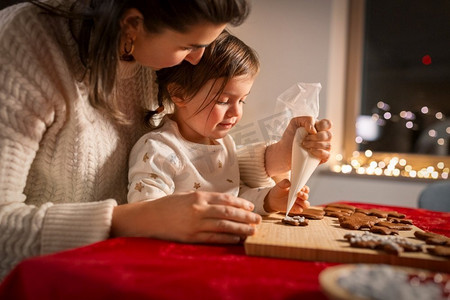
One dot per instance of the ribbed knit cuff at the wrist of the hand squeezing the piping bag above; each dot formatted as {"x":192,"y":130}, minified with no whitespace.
{"x":252,"y":165}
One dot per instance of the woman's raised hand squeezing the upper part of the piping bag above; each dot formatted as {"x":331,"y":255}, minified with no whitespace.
{"x":317,"y":142}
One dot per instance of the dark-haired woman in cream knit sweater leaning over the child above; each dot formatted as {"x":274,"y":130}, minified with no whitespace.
{"x":75,"y":81}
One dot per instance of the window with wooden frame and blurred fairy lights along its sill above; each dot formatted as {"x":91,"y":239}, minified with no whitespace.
{"x":398,"y":88}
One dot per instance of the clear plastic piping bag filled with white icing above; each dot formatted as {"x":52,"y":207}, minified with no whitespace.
{"x":302,"y":99}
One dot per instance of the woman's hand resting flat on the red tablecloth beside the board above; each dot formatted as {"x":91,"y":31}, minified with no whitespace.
{"x":194,"y":217}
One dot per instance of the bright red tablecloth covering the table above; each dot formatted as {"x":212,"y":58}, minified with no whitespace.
{"x":140,"y":268}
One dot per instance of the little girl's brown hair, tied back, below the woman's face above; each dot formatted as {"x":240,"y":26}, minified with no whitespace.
{"x":225,"y":58}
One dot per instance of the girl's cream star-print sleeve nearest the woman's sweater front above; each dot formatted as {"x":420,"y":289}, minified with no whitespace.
{"x":153,"y":166}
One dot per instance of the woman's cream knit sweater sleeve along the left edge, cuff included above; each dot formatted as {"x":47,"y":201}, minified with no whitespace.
{"x":27,"y":112}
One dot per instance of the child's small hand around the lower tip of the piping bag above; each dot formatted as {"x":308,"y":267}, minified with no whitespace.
{"x":277,"y":198}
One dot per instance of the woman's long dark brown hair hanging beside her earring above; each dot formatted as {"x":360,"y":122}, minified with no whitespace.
{"x":99,"y":36}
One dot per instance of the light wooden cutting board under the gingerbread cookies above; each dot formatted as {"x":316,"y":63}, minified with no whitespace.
{"x":323,"y":240}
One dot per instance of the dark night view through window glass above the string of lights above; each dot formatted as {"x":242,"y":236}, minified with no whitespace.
{"x":398,"y":35}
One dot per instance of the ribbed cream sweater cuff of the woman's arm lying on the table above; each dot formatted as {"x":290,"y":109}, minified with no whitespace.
{"x":72,"y":225}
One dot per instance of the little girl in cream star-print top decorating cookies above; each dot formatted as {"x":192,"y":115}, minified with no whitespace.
{"x":192,"y":150}
